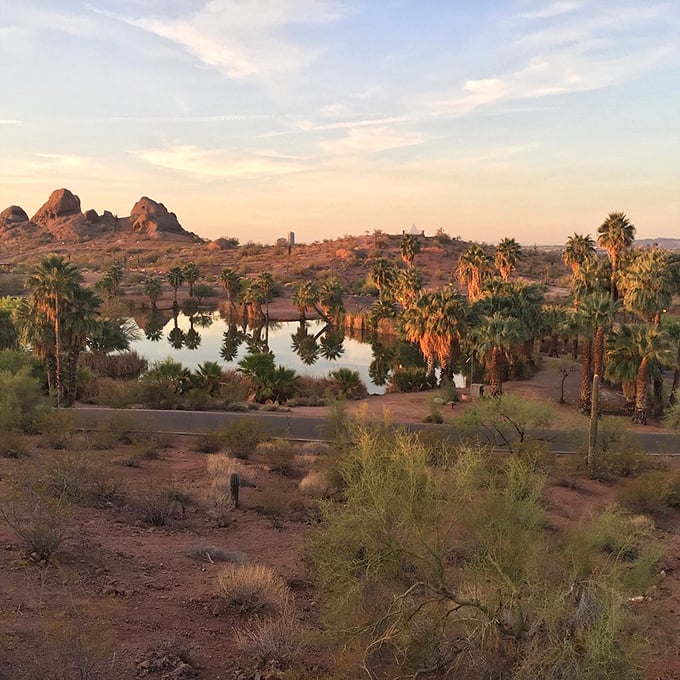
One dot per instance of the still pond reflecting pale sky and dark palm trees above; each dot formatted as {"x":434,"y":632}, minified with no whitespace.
{"x":312,"y":349}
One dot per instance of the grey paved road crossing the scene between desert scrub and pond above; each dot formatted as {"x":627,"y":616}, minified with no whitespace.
{"x":309,"y":428}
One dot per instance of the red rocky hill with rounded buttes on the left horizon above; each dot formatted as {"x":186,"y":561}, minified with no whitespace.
{"x":61,"y":219}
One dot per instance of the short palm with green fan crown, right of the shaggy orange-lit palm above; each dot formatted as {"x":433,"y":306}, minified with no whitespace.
{"x":495,"y":338}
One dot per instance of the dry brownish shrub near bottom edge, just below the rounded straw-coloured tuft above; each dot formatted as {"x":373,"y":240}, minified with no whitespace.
{"x":271,"y":640}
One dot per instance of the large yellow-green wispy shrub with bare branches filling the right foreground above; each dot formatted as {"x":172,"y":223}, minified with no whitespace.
{"x":453,"y":568}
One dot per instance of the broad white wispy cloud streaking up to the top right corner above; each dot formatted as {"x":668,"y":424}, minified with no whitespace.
{"x":574,"y":47}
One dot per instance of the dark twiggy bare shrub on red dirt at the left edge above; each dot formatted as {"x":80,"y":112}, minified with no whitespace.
{"x":40,"y":521}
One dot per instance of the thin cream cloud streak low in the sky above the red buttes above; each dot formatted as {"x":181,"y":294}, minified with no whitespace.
{"x":202,"y":163}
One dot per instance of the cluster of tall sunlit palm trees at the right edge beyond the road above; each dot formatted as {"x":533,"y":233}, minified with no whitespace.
{"x":618,"y":306}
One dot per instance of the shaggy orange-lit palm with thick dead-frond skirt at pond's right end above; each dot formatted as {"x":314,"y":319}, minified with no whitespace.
{"x":437,"y":322}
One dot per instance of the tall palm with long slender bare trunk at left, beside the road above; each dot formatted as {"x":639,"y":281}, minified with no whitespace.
{"x":54,"y":283}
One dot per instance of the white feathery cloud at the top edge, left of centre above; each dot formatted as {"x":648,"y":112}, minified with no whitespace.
{"x":246,"y":38}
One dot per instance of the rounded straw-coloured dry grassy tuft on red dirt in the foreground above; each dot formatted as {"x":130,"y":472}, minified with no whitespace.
{"x":253,"y":589}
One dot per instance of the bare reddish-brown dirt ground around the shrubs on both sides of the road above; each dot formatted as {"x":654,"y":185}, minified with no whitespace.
{"x":126,"y":598}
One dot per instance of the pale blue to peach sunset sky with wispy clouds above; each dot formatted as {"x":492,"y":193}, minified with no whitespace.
{"x":253,"y":118}
